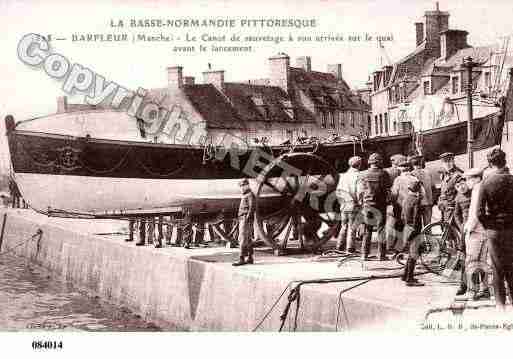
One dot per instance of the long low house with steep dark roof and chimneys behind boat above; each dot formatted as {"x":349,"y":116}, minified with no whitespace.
{"x":293,"y":102}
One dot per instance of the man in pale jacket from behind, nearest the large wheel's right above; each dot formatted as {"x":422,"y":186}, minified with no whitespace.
{"x":349,"y":206}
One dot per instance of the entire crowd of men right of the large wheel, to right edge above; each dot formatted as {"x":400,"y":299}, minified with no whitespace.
{"x":397,"y":203}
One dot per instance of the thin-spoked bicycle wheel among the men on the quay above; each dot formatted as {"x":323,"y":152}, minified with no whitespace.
{"x":438,"y":245}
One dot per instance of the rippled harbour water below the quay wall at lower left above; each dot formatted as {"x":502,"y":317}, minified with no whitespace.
{"x":31,"y":298}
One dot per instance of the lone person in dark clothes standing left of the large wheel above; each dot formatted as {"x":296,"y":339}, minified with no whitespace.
{"x":246,"y":217}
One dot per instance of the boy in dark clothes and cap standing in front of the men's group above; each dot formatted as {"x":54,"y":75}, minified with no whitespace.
{"x":410,"y":215}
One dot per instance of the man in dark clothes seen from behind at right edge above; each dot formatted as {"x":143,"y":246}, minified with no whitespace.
{"x":495,"y":212}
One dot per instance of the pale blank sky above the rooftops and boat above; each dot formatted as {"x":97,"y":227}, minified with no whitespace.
{"x":28,"y":92}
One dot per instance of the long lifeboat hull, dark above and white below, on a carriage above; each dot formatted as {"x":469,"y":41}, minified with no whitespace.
{"x":81,"y":175}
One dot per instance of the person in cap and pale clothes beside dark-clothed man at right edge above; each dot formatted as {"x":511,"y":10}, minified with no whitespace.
{"x":475,"y":239}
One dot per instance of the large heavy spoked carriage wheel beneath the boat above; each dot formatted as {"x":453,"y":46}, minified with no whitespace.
{"x":296,"y":200}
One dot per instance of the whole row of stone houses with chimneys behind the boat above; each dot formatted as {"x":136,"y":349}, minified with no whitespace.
{"x":296,"y":101}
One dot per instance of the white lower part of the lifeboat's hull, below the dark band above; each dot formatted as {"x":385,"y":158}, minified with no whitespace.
{"x":119,"y":197}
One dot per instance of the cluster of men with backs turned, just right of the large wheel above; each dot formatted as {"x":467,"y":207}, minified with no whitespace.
{"x":394,"y":202}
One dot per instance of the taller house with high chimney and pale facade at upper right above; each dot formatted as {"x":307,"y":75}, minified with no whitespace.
{"x":427,"y":88}
